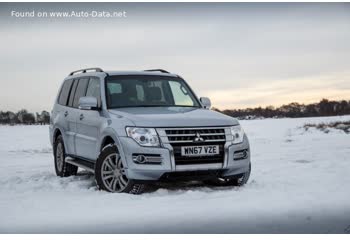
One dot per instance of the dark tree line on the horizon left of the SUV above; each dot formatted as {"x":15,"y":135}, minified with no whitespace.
{"x":24,"y":117}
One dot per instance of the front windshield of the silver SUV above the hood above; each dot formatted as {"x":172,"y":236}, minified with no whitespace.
{"x":148,"y":91}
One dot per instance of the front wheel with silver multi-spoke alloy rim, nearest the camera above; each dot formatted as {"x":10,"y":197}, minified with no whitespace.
{"x":110,"y":174}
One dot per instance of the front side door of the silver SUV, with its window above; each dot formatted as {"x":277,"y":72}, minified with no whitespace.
{"x":89,"y":123}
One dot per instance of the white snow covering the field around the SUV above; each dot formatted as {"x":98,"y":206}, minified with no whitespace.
{"x":299,"y":184}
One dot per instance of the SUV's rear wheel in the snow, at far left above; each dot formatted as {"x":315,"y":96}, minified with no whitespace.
{"x":62,"y":168}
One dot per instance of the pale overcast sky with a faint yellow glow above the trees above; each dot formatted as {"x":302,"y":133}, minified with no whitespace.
{"x":239,"y":55}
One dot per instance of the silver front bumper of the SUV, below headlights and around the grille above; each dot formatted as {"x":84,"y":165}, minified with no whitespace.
{"x":155,"y":172}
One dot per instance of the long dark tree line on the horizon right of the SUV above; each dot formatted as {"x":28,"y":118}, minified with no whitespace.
{"x":292,"y":110}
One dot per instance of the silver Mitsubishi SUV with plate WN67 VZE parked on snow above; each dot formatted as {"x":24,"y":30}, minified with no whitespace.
{"x":134,"y":128}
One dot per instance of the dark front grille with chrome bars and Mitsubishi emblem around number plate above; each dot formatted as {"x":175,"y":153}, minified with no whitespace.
{"x":187,"y":136}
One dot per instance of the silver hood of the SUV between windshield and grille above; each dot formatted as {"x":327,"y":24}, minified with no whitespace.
{"x":173,"y":117}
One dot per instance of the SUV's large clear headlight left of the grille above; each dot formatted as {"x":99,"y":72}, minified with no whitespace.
{"x":144,"y":136}
